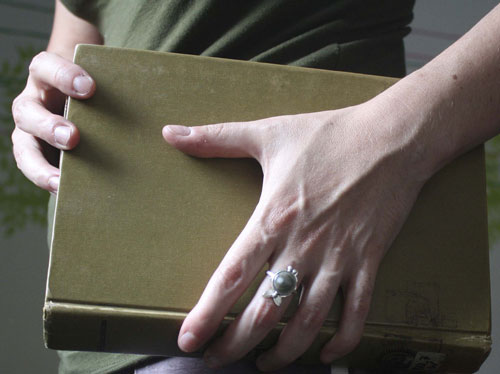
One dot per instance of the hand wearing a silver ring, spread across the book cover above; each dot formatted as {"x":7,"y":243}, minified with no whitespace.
{"x":337,"y":188}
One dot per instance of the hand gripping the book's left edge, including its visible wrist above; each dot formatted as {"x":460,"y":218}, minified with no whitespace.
{"x":37,"y":110}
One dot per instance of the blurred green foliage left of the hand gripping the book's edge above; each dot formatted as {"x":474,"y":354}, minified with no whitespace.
{"x":21,"y":202}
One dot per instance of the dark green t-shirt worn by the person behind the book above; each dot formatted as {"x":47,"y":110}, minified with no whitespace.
{"x":364,"y":36}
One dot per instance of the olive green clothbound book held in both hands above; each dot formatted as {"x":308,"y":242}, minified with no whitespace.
{"x":140,"y":227}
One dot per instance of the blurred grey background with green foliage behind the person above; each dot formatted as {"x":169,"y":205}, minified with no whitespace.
{"x":24,"y":30}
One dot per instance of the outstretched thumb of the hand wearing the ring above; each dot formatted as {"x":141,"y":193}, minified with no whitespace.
{"x":235,"y":139}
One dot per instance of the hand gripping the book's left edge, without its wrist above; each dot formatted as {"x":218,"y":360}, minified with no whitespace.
{"x":37,"y":115}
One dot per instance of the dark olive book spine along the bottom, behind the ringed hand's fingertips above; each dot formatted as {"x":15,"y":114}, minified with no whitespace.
{"x":69,"y":326}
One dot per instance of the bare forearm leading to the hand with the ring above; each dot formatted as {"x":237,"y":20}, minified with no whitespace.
{"x":451,"y":104}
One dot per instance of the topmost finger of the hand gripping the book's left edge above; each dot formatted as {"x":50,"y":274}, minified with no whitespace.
{"x":48,"y":70}
